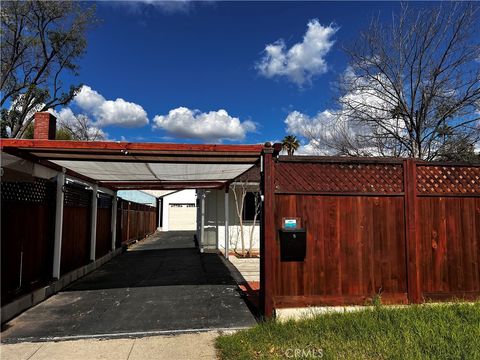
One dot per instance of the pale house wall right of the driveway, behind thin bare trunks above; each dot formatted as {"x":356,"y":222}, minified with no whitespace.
{"x":215,"y":223}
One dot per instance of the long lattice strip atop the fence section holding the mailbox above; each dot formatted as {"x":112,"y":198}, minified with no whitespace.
{"x":339,"y":177}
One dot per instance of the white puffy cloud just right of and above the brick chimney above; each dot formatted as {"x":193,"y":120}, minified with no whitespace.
{"x":110,"y":112}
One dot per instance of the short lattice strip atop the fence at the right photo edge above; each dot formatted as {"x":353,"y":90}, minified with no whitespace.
{"x":448,"y":179}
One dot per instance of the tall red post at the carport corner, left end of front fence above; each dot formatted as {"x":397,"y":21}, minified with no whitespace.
{"x":267,"y":239}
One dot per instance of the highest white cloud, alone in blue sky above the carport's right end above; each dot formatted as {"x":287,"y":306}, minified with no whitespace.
{"x":303,"y":60}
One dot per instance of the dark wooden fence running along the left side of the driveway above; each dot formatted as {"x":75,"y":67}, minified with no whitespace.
{"x":28,"y":224}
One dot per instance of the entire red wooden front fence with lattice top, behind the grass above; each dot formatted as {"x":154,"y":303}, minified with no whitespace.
{"x":404,"y":230}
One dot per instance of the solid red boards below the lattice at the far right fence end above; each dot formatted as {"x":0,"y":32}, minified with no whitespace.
{"x":450,"y":244}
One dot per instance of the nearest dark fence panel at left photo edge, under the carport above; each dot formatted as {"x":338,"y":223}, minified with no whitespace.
{"x":27,"y":231}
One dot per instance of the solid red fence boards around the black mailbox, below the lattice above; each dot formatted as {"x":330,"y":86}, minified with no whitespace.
{"x":355,"y":250}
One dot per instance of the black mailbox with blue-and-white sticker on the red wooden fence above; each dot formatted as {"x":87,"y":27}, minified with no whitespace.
{"x":293,"y":240}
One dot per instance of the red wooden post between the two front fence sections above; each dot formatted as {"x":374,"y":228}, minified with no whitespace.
{"x":411,"y":235}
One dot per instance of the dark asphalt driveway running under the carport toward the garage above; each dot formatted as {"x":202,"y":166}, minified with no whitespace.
{"x":161,"y":285}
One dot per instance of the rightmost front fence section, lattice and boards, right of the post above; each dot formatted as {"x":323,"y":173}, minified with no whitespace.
{"x":448,"y":203}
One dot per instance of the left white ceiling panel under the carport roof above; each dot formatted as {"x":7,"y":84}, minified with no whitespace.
{"x":109,"y":171}
